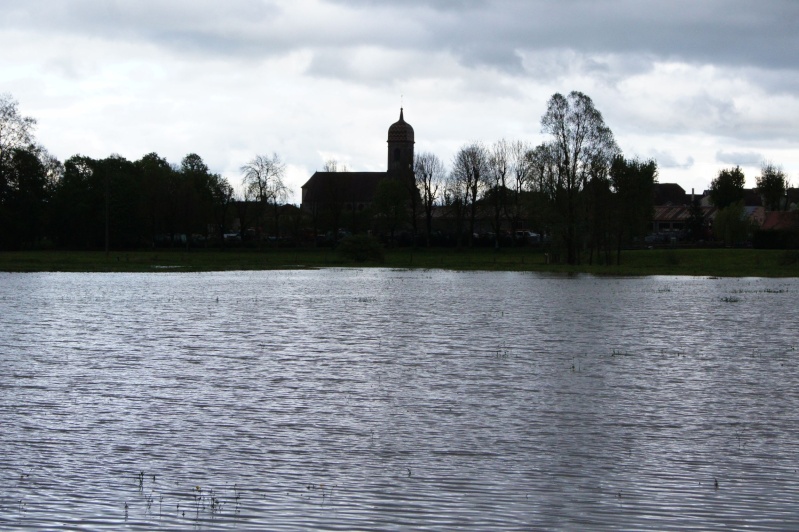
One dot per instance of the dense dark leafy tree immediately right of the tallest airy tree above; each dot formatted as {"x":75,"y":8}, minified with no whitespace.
{"x":633,"y":181}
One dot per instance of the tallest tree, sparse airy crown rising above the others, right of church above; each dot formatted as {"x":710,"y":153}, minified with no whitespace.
{"x":582,"y":145}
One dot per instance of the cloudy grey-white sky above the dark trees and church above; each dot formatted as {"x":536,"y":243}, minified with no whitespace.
{"x":697,"y":85}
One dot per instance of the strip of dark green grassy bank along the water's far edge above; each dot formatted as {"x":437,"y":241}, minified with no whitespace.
{"x":706,"y":262}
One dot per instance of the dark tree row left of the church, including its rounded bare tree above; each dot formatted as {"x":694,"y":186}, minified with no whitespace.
{"x":87,"y":203}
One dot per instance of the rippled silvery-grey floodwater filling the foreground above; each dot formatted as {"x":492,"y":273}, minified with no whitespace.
{"x":383,"y":399}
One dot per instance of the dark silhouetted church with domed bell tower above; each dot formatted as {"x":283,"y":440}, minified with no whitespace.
{"x":335,"y":194}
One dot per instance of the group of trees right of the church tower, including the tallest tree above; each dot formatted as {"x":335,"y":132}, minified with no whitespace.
{"x":577,"y":188}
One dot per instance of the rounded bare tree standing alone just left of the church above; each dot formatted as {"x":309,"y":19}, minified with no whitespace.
{"x":263,"y":183}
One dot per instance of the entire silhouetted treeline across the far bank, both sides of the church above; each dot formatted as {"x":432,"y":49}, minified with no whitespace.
{"x":575,"y":195}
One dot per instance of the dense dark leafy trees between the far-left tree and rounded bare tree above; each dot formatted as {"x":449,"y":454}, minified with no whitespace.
{"x":125,"y":204}
